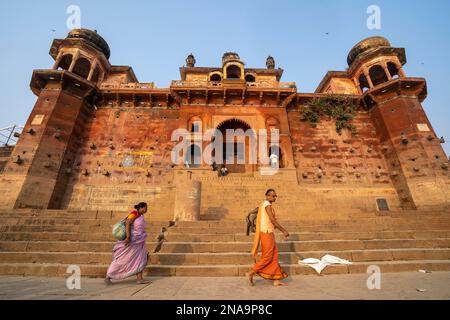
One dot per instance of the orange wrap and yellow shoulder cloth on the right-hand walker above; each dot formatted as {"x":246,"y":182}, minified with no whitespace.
{"x":268,"y":266}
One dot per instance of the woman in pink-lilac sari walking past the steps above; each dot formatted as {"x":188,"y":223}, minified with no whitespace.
{"x":130,"y":256}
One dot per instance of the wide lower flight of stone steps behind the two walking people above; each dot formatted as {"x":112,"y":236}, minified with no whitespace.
{"x":46,"y":242}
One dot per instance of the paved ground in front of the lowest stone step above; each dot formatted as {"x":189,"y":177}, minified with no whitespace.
{"x":353,"y":286}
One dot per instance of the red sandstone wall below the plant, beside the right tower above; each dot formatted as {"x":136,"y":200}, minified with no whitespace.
{"x":344,"y":159}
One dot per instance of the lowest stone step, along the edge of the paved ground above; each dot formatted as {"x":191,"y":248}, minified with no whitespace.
{"x":30,"y":269}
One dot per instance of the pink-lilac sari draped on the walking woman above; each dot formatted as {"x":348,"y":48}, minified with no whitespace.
{"x":132,"y":259}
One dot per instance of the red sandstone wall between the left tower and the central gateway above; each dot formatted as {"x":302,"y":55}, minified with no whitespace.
{"x":126,"y":153}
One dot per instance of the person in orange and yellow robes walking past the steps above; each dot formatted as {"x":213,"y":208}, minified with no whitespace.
{"x":267,"y":267}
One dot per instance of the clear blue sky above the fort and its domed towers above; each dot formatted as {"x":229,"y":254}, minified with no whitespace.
{"x":154,"y":37}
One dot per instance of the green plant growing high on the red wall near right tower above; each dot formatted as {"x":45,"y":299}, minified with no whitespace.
{"x":340,"y":108}
